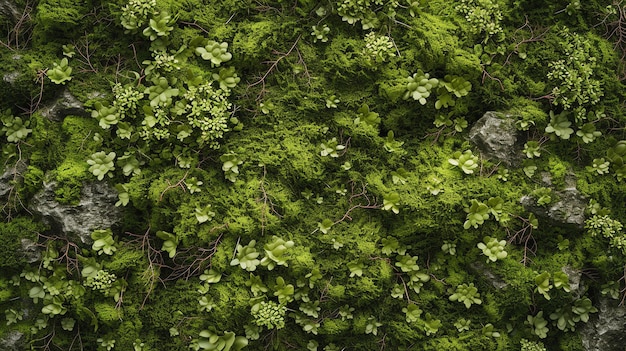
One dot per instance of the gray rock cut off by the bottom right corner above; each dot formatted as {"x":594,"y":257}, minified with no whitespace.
{"x":606,"y":330}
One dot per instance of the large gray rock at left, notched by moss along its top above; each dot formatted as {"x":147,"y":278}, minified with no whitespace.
{"x":95,"y":210}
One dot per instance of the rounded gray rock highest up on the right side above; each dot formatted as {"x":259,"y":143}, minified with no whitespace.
{"x":495,"y":135}
